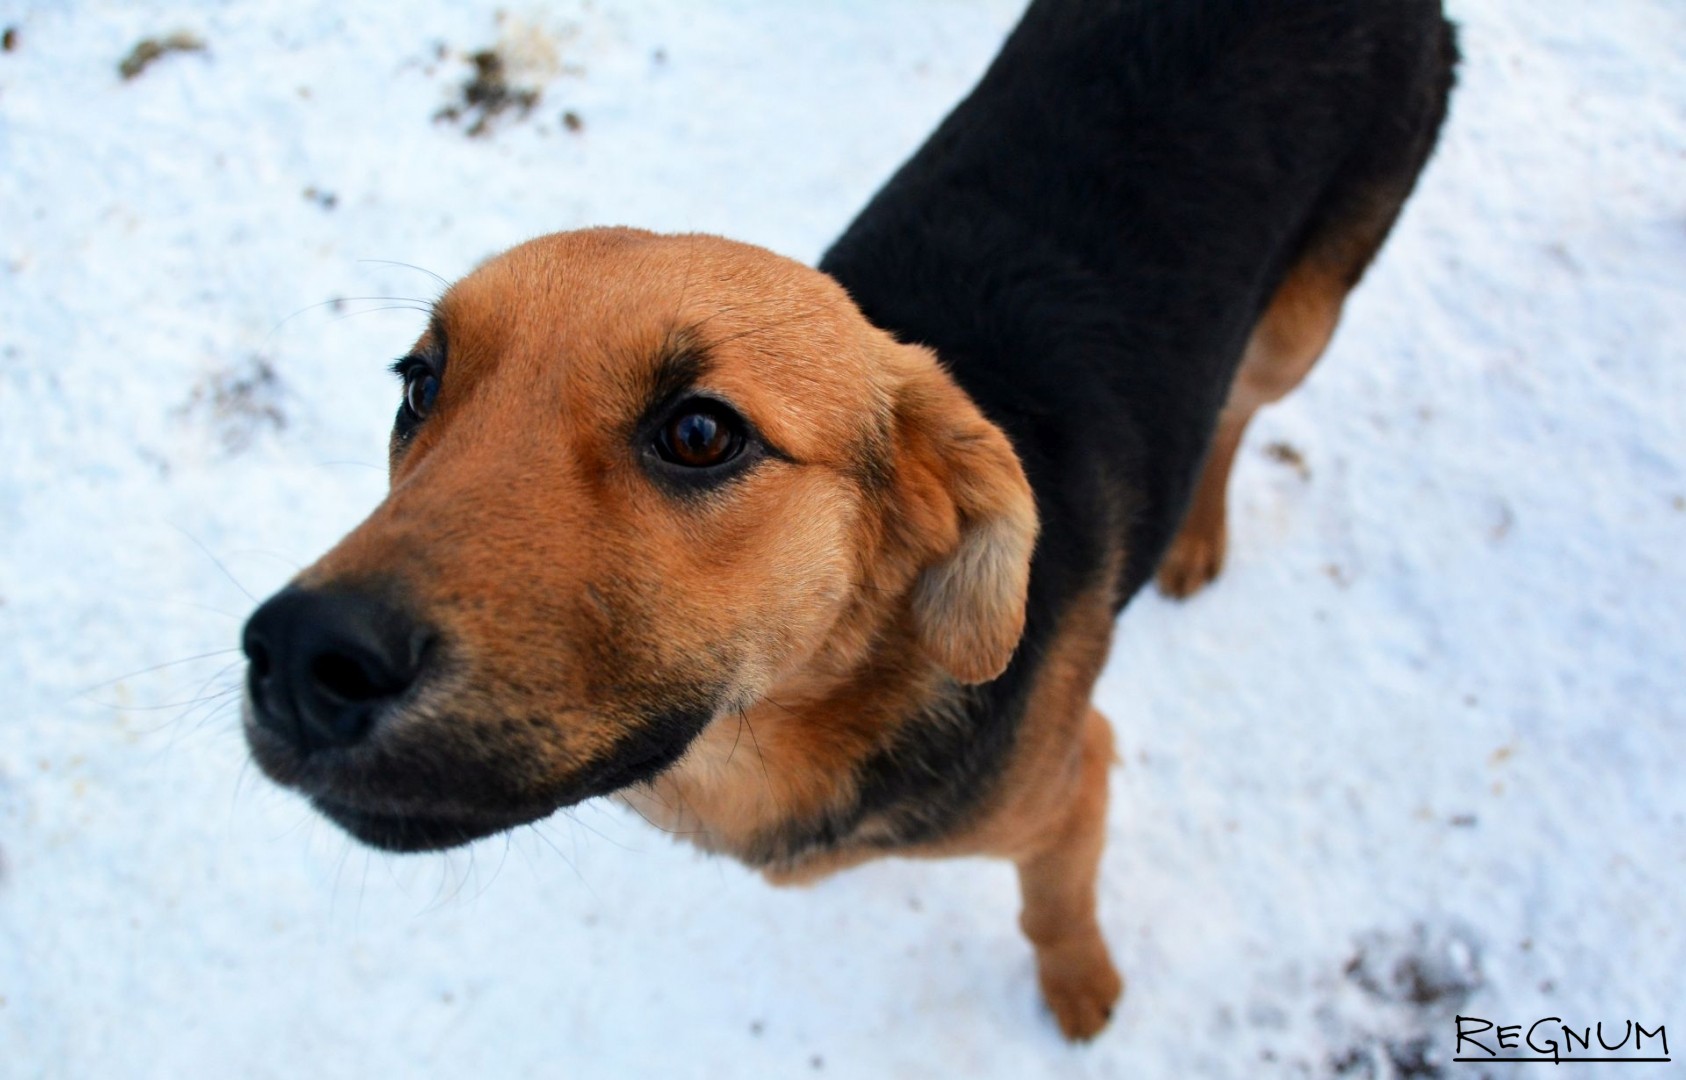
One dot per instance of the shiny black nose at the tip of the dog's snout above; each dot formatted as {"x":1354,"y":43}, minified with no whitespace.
{"x":323,"y":663}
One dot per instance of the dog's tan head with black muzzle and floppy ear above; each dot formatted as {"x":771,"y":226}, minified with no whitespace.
{"x":638,"y":483}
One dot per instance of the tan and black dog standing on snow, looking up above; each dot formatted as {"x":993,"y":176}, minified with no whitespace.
{"x":815,"y":567}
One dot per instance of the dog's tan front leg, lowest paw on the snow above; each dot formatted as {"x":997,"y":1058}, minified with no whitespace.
{"x":1058,"y":880}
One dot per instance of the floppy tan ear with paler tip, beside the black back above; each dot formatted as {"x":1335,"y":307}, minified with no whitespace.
{"x":967,"y":513}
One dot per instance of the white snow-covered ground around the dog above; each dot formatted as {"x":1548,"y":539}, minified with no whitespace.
{"x":1417,"y":754}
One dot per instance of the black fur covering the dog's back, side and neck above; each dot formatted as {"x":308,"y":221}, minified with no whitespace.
{"x":1087,"y":242}
